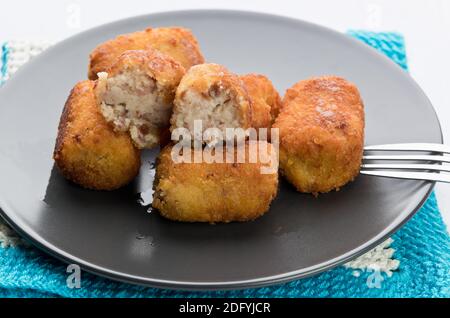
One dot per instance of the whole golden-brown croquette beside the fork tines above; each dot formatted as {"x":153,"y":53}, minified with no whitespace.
{"x":321,"y":128}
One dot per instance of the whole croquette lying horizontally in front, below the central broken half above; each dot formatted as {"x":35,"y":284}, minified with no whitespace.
{"x":214,"y":192}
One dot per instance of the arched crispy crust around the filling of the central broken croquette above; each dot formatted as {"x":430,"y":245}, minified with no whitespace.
{"x":206,"y":79}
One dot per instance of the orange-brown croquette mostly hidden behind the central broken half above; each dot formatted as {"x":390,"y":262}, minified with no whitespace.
{"x":265,"y":100}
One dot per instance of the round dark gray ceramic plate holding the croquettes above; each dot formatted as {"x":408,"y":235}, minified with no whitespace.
{"x":112,"y":235}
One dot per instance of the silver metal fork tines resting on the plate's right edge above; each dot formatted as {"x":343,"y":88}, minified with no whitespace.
{"x":427,"y":165}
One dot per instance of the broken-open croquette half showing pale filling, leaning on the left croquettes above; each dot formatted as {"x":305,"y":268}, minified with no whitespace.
{"x":137,"y":94}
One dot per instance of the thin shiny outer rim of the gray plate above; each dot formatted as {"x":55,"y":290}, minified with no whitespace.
{"x":7,"y":213}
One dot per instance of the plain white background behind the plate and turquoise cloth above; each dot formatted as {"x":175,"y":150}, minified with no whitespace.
{"x":424,"y":23}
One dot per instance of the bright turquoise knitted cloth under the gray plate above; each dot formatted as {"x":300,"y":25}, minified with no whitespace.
{"x":422,"y":246}
